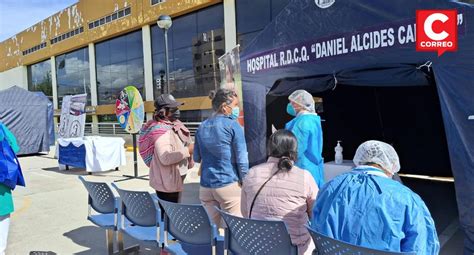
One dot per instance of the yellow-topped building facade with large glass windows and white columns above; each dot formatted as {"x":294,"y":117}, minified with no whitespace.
{"x":99,"y":48}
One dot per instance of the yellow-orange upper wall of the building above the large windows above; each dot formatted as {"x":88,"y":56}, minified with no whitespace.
{"x":80,"y":15}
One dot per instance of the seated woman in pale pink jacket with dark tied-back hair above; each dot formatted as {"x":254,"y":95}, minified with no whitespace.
{"x":278,"y":190}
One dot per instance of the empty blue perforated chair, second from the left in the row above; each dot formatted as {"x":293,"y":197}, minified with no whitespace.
{"x":140,"y":217}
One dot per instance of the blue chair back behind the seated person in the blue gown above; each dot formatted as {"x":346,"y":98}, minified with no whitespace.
{"x":328,"y":246}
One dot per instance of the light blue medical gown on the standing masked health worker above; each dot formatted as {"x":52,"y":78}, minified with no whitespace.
{"x":307,"y":129}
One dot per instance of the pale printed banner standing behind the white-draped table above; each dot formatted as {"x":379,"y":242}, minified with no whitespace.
{"x":73,"y":116}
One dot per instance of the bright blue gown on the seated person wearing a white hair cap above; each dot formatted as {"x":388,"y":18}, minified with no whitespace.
{"x":375,"y":212}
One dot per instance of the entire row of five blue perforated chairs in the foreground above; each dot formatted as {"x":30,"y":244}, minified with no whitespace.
{"x":187,"y":229}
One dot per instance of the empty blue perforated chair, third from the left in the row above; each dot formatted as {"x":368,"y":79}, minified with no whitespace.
{"x":191,"y":226}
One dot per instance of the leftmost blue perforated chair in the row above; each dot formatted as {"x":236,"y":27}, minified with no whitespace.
{"x":103,"y":202}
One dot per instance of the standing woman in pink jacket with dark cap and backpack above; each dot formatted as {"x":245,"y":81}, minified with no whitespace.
{"x":165,"y":146}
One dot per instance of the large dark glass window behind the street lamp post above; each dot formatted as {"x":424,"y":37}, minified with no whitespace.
{"x":195,"y":41}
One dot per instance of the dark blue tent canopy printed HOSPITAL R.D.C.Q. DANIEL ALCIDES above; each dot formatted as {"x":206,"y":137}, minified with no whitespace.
{"x":365,"y":43}
